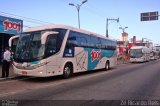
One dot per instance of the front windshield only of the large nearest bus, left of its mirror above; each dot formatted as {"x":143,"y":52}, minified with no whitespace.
{"x":29,"y":47}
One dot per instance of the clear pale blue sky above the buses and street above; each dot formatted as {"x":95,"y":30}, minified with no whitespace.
{"x":93,"y":15}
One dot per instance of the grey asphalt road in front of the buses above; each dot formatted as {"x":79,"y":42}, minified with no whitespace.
{"x":124,"y":84}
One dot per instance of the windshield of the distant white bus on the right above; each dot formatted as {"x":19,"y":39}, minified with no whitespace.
{"x":136,"y":53}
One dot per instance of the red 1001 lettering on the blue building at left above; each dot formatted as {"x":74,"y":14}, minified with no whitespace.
{"x":11,"y":25}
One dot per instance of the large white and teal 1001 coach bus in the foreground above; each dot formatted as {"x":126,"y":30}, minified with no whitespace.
{"x":61,"y":50}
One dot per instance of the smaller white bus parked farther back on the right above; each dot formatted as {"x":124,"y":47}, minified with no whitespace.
{"x":139,"y":54}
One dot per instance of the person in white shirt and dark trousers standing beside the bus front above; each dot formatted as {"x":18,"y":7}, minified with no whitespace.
{"x":6,"y":62}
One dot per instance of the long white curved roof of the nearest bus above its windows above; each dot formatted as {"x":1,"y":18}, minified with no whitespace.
{"x":52,"y":26}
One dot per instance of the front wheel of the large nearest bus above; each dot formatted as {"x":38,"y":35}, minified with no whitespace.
{"x":67,"y":72}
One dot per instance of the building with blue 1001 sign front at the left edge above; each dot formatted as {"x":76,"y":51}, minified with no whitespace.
{"x":8,"y":27}
